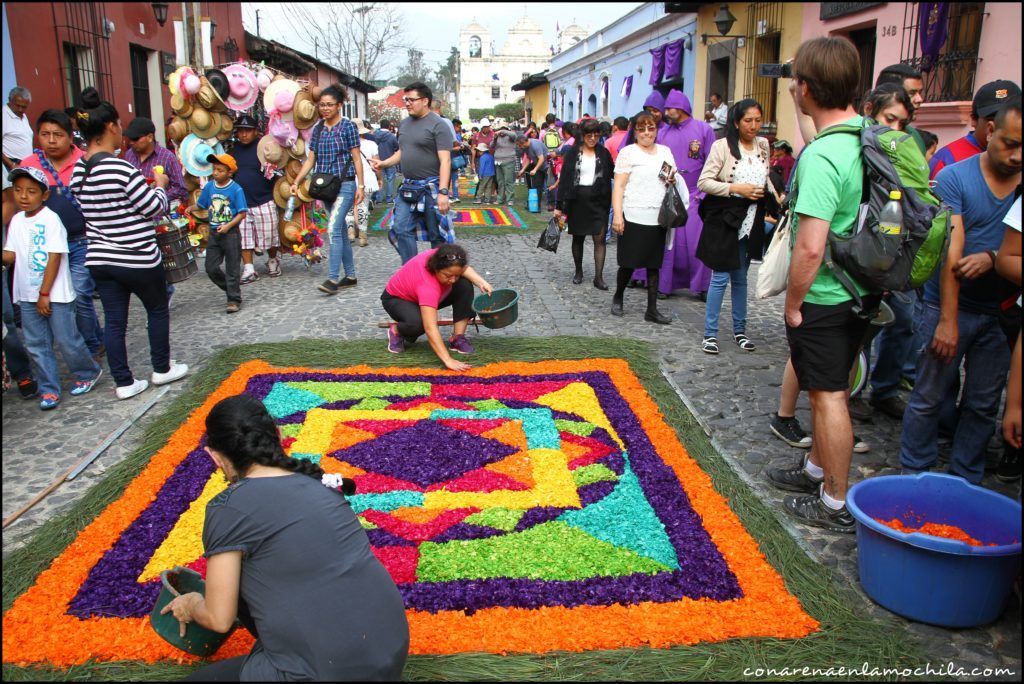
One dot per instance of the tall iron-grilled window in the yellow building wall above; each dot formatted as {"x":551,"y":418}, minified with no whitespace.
{"x":764,"y":37}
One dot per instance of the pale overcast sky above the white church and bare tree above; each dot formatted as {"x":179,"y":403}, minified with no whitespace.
{"x":435,"y":26}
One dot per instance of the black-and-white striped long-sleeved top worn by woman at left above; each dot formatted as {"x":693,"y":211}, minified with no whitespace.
{"x":119,"y":208}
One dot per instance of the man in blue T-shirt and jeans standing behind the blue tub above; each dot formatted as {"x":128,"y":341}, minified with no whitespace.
{"x":962,"y":308}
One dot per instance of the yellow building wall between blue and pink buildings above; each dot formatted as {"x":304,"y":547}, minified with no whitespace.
{"x":792,"y":30}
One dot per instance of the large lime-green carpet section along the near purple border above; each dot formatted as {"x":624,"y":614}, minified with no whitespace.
{"x":548,"y":551}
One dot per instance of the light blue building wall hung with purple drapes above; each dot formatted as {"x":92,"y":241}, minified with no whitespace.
{"x":632,"y":39}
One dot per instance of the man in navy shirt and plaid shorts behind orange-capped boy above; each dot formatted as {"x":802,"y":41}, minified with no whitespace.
{"x":260,"y":230}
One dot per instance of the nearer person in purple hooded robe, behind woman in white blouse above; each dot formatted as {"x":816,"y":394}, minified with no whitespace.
{"x":691,"y":143}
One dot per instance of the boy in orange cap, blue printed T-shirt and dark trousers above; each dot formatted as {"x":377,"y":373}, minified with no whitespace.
{"x":227,"y":202}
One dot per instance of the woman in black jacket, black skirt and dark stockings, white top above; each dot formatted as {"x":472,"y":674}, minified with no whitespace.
{"x":585,"y":196}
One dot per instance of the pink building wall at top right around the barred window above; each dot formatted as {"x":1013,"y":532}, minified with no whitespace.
{"x":1000,"y":55}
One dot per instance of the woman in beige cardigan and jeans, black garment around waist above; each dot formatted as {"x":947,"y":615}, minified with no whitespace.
{"x":736,"y":179}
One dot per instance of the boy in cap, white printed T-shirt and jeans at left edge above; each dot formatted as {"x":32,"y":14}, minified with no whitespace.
{"x":35,"y":245}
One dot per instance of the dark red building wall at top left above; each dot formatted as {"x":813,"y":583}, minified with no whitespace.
{"x":38,"y":30}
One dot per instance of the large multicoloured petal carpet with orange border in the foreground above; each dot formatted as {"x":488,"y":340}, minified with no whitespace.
{"x":521,"y":507}
